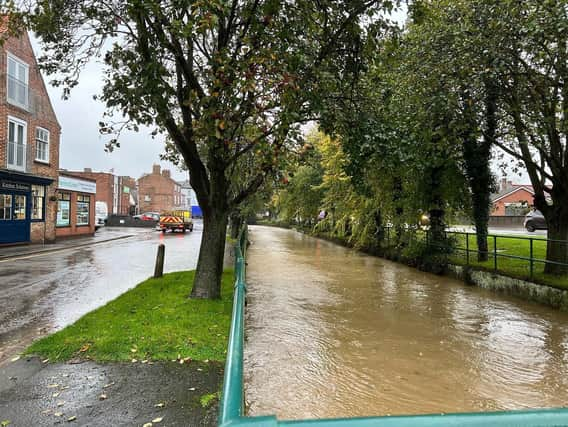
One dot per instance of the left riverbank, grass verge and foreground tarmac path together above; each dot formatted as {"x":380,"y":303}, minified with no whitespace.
{"x":151,"y":354}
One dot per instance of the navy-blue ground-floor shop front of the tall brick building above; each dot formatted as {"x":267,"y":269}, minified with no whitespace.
{"x":22,"y":205}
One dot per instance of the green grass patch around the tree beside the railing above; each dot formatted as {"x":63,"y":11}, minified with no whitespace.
{"x":154,"y":321}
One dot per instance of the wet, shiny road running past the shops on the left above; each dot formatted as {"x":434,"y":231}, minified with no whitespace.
{"x":44,"y":292}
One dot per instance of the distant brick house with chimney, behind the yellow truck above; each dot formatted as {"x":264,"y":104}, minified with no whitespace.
{"x":157,"y":191}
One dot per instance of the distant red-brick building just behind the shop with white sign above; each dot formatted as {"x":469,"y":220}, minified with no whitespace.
{"x":117,"y":192}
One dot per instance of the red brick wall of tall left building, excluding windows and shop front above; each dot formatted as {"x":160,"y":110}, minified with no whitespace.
{"x":39,"y":114}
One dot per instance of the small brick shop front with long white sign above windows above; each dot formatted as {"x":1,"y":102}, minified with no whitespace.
{"x":75,"y":206}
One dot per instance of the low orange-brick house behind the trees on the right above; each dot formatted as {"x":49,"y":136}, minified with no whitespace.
{"x":512,"y":199}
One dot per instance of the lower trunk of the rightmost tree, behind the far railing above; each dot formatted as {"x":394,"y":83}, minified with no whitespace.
{"x":557,"y":251}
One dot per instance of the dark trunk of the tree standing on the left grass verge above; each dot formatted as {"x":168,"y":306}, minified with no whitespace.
{"x":207,"y":282}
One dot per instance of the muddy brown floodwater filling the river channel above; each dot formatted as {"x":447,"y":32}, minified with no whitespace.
{"x":331,"y":332}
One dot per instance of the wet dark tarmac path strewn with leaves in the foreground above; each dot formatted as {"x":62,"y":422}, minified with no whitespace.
{"x":33,"y":393}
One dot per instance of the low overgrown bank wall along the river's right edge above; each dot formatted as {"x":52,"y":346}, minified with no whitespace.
{"x":553,"y":293}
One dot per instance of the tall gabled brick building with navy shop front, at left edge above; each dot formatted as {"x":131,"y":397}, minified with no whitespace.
{"x":29,"y":147}
